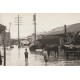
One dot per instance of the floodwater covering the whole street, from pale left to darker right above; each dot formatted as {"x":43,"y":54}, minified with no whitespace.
{"x":15,"y":57}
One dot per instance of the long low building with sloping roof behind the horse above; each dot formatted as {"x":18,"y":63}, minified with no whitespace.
{"x":57,"y":35}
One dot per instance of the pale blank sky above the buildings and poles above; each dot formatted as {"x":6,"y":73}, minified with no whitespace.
{"x":44,"y":21}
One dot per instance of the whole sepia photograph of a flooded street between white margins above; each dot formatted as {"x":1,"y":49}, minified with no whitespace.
{"x":39,"y":39}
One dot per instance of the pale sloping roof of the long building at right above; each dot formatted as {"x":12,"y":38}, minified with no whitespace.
{"x":60,"y":30}
